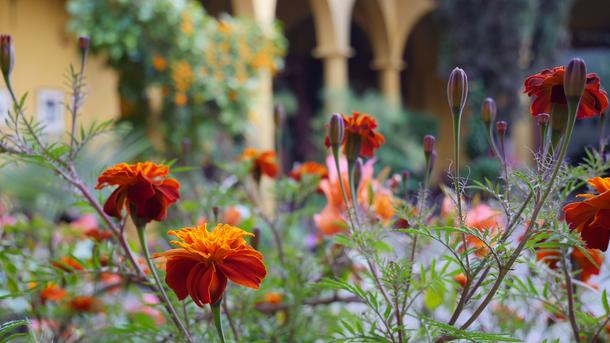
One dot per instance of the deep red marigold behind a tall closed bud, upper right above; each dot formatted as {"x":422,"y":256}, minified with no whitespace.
{"x":547,"y":87}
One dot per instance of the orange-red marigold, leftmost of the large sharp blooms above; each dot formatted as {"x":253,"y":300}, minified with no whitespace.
{"x":142,"y":187}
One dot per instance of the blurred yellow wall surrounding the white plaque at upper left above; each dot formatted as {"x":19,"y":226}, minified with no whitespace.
{"x":44,"y":50}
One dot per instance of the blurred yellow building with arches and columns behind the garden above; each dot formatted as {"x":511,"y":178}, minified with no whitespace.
{"x":400,"y":49}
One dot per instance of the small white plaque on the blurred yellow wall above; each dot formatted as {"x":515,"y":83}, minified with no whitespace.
{"x":51,"y":111}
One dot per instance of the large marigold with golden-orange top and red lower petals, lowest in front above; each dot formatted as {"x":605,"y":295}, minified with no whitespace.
{"x":205,"y":261}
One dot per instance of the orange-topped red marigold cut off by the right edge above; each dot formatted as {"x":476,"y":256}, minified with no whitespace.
{"x":591,"y":217}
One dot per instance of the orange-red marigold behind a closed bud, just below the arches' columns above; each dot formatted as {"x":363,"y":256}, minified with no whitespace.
{"x":361,"y":127}
